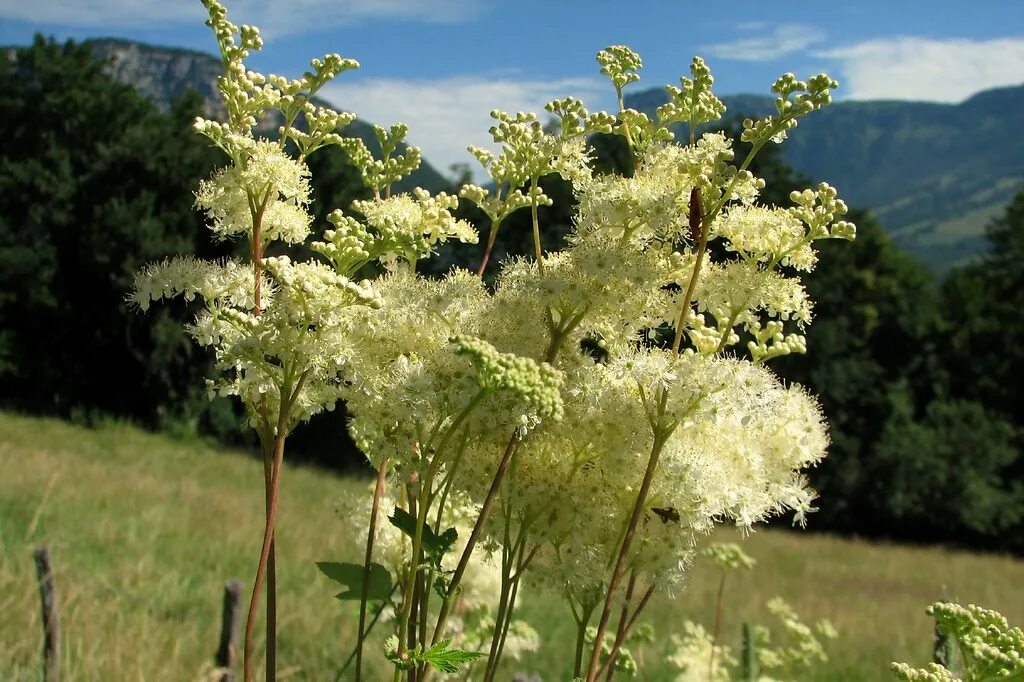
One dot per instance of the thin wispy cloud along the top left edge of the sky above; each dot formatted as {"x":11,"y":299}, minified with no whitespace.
{"x":276,"y":18}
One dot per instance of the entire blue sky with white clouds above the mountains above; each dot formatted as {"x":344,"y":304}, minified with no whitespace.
{"x":443,"y":65}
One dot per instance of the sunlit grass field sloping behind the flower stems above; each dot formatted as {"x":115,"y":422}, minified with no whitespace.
{"x":145,"y":530}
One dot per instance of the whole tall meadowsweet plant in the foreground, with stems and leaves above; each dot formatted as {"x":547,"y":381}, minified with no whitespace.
{"x":580,"y":424}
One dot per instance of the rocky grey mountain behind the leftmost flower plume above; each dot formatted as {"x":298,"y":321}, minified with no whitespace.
{"x":165,"y":73}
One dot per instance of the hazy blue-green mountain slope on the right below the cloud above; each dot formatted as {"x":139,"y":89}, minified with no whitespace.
{"x":934,"y":175}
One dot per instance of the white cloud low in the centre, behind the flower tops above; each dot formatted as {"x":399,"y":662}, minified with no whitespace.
{"x":447,"y":115}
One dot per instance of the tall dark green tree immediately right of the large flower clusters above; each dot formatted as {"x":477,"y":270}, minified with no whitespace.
{"x":871,"y":346}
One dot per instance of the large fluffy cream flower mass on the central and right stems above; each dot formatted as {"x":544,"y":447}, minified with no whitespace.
{"x":524,"y":375}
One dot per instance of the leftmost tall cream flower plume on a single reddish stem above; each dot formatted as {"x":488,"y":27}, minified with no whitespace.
{"x":276,"y":326}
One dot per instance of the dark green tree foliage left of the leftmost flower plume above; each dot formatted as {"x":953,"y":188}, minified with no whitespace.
{"x":95,"y":182}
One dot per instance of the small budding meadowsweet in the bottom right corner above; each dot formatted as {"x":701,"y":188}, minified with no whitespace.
{"x":989,"y":649}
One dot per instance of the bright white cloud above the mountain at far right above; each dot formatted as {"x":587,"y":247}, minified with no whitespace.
{"x":926,"y":69}
